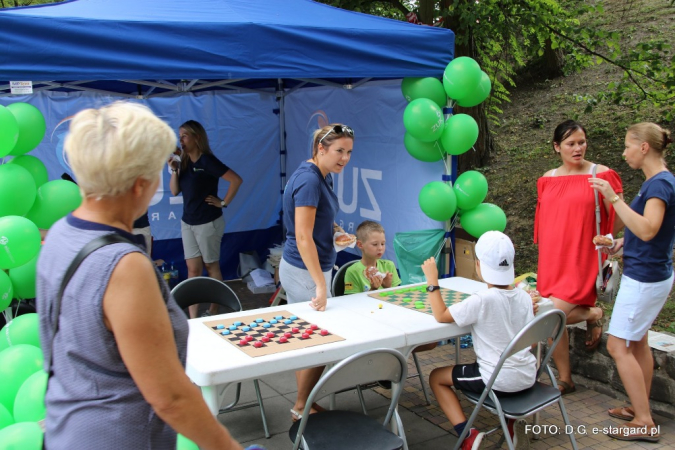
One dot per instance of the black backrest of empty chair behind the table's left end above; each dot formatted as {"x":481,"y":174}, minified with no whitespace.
{"x":205,"y":290}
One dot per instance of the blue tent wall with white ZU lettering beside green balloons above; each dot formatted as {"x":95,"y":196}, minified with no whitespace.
{"x":382,"y":181}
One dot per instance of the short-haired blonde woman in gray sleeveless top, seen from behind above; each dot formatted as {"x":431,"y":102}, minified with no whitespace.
{"x":118,"y":357}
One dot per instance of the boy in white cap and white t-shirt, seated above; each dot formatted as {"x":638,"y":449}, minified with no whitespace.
{"x":495,"y":315}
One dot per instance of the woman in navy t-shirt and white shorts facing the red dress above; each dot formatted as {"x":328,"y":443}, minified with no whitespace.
{"x":647,"y":273}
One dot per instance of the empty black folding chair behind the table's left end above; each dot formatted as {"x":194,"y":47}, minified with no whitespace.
{"x":209,"y":290}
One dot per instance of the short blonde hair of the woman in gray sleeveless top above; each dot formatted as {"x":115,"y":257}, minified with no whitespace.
{"x":110,"y":147}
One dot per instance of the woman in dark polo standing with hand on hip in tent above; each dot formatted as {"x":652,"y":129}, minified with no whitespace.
{"x":202,"y":225}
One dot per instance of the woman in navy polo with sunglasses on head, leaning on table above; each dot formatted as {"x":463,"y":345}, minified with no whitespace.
{"x":310,"y":208}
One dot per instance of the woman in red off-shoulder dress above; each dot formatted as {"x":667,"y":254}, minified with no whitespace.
{"x":564,"y":227}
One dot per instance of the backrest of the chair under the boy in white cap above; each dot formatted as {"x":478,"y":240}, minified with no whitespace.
{"x":548,"y":325}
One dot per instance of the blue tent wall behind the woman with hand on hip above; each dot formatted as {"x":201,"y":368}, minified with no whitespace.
{"x":243,"y":131}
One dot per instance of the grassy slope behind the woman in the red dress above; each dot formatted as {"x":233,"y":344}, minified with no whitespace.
{"x":537,"y":106}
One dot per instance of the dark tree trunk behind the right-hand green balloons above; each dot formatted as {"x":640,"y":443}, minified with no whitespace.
{"x":479,"y":156}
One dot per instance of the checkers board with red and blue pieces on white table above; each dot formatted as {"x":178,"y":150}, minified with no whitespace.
{"x":268,"y":333}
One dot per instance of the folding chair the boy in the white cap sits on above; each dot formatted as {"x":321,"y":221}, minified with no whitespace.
{"x":549,"y":325}
